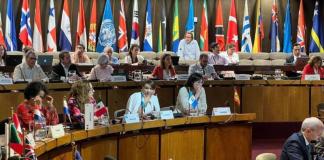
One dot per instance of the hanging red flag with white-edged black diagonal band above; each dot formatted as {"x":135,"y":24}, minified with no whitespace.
{"x":219,"y":27}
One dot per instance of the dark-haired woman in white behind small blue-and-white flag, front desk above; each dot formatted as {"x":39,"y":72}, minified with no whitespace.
{"x":192,"y":96}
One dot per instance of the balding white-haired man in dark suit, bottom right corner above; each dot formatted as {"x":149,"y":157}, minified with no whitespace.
{"x":298,"y":146}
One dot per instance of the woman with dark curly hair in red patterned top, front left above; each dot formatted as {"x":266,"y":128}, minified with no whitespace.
{"x":37,"y":98}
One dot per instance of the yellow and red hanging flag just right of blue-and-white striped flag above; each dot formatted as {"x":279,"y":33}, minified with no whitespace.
{"x":259,"y":32}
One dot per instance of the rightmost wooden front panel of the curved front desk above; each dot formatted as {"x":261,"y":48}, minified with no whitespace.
{"x":225,"y":142}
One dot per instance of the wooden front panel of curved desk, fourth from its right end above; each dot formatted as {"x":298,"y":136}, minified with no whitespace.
{"x":99,"y":148}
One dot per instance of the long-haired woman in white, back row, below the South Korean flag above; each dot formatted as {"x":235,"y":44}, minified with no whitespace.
{"x":133,"y":57}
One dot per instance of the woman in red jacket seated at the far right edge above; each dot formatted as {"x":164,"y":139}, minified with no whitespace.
{"x":314,"y":66}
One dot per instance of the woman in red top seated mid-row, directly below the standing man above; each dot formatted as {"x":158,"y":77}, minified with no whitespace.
{"x":165,"y":70}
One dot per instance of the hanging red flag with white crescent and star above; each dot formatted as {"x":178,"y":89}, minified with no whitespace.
{"x":232,"y":36}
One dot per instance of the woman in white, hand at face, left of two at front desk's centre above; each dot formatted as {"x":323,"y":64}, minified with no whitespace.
{"x":145,"y":102}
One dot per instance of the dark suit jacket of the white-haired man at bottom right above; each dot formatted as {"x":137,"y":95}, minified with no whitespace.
{"x":294,"y":148}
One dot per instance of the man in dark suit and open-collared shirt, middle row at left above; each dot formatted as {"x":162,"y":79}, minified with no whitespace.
{"x":63,"y":68}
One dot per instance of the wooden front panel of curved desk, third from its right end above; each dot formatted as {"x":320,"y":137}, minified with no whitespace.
{"x":139,"y":147}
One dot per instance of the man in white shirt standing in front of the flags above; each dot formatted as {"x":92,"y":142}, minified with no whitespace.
{"x":188,"y":48}
